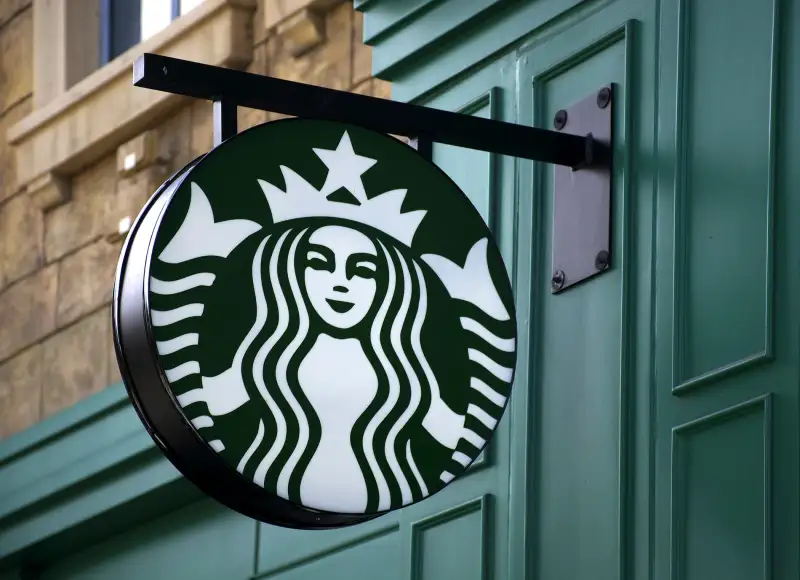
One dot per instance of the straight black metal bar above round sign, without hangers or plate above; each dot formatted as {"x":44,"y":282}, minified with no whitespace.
{"x":237,"y":88}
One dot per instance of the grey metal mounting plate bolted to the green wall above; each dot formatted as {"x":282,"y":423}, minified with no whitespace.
{"x":582,"y":197}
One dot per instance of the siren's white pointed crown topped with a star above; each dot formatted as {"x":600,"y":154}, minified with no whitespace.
{"x":302,"y":200}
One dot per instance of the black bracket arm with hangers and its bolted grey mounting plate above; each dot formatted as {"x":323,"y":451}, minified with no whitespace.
{"x":581,"y":147}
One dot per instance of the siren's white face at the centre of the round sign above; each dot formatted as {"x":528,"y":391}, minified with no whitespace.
{"x":341,"y":266}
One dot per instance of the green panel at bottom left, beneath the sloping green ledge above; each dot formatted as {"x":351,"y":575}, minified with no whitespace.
{"x":199,"y":542}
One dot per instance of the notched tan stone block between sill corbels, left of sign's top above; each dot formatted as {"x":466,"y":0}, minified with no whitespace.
{"x":85,"y":218}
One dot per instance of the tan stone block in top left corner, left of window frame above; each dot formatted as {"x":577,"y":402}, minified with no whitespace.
{"x":16,"y":59}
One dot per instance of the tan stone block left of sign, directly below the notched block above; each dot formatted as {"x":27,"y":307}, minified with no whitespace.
{"x":86,"y":280}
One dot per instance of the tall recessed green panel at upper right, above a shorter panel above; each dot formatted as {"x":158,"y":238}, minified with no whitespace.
{"x":724,"y":188}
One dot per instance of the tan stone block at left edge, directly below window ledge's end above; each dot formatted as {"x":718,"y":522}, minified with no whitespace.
{"x":21,"y":243}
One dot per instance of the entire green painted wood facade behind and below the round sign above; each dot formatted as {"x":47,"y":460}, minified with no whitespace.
{"x":653,"y":431}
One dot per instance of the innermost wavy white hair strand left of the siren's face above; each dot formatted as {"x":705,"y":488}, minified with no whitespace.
{"x":282,"y":380}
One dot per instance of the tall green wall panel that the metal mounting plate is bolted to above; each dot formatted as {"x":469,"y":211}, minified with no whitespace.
{"x":580,"y":370}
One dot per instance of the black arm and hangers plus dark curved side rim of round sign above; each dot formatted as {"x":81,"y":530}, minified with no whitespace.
{"x":228,"y":89}
